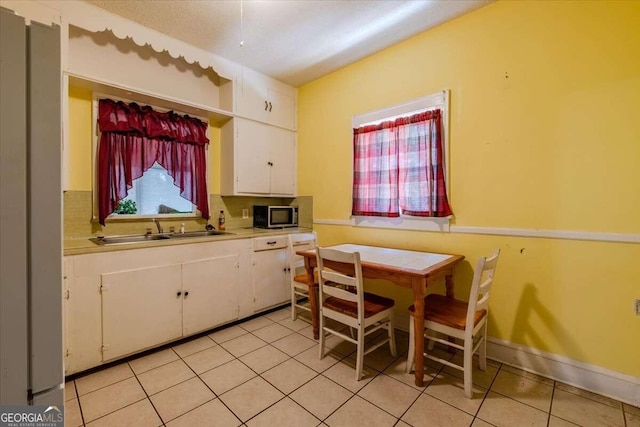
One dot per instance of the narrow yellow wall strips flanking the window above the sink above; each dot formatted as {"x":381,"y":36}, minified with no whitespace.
{"x":81,"y":143}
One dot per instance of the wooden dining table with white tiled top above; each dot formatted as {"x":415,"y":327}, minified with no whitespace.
{"x":408,"y":269}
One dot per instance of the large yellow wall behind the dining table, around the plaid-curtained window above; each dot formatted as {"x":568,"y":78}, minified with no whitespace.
{"x":544,"y":134}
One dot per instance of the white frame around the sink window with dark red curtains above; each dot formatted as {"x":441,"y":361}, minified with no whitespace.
{"x":94,"y":155}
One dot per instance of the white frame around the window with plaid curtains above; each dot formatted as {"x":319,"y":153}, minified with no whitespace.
{"x":439,"y":100}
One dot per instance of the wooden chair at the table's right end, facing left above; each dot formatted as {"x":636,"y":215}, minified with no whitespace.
{"x":461,"y":320}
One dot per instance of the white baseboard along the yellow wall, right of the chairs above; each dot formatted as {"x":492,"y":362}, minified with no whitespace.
{"x":615,"y":385}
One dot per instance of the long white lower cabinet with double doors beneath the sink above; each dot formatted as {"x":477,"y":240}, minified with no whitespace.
{"x":120,"y":303}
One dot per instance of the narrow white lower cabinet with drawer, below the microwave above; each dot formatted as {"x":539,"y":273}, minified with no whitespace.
{"x":270,"y":262}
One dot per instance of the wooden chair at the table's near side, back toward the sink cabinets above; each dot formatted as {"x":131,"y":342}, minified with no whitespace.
{"x":342,"y":298}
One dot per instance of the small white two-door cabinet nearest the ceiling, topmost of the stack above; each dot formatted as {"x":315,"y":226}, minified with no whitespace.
{"x":267,"y":100}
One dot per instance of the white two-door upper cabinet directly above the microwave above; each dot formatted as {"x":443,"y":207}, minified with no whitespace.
{"x":257,"y":159}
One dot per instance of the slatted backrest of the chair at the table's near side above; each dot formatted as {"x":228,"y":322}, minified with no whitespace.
{"x":340,"y":276}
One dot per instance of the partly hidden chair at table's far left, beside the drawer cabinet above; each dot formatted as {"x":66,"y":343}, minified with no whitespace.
{"x":298,"y":274}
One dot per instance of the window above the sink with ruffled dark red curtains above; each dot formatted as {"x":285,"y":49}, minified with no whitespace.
{"x":149,"y":162}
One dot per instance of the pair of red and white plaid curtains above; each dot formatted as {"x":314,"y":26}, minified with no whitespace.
{"x":398,"y":166}
